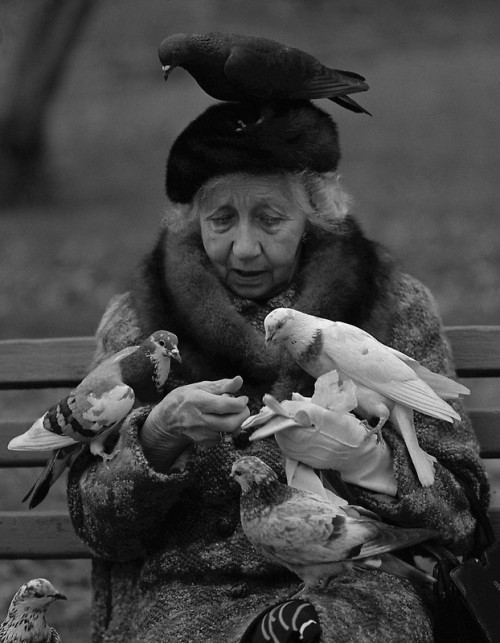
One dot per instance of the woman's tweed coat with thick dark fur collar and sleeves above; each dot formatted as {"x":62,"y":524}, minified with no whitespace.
{"x":172,"y":563}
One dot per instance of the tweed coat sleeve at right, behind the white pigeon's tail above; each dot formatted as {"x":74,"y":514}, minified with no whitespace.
{"x":418,"y":332}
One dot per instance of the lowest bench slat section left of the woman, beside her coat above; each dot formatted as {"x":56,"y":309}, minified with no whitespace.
{"x":47,"y":534}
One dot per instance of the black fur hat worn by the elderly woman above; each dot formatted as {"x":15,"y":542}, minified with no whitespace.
{"x":228,"y":138}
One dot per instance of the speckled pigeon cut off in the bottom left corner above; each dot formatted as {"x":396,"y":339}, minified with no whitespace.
{"x":25,"y":621}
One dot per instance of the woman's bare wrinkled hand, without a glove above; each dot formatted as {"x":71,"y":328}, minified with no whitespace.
{"x":197,"y":412}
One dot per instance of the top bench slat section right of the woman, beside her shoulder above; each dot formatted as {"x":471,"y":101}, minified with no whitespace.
{"x":476,"y":350}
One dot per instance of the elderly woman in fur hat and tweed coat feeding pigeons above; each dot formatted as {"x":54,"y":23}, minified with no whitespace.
{"x":255,"y":220}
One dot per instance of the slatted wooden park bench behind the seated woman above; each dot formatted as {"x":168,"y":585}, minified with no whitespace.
{"x":63,"y":362}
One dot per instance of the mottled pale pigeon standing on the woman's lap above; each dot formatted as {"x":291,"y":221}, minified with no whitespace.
{"x":314,"y":538}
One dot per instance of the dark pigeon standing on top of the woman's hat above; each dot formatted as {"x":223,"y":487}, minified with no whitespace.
{"x":232,"y":67}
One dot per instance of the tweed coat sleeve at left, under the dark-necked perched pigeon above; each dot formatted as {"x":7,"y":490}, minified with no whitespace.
{"x":120,"y":509}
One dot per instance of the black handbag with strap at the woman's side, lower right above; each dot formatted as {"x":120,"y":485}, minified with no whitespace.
{"x":467,"y":592}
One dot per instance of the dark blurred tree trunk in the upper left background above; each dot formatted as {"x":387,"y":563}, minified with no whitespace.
{"x":35,"y":78}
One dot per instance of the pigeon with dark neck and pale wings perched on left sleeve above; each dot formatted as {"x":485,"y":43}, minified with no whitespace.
{"x":95,"y":408}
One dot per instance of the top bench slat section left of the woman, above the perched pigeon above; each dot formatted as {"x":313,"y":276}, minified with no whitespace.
{"x":44,"y":363}
